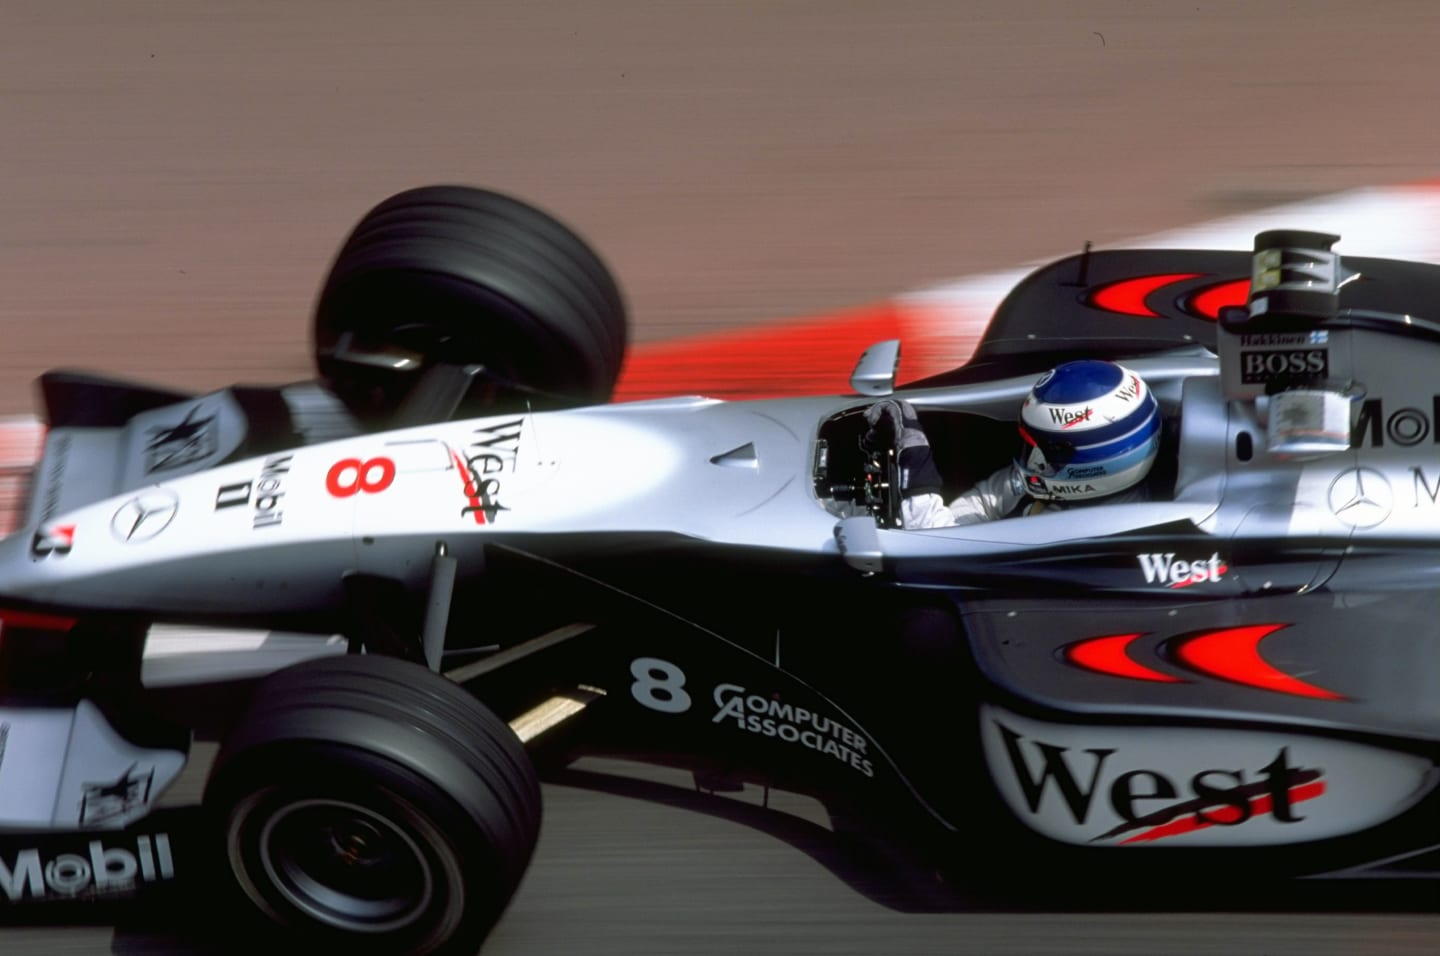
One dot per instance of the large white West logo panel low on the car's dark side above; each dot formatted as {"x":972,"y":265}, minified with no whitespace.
{"x":1131,"y":785}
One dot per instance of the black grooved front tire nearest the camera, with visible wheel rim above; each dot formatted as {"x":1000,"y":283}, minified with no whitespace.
{"x":368,"y":806}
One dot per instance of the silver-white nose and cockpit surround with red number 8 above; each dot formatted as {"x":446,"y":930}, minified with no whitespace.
{"x":283,"y":528}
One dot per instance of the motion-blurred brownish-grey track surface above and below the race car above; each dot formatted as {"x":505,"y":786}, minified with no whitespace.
{"x":176,"y":176}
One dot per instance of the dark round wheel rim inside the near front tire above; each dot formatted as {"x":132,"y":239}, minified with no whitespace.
{"x":346,"y":866}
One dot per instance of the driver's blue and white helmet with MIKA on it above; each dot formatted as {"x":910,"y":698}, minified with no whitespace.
{"x":1091,"y":430}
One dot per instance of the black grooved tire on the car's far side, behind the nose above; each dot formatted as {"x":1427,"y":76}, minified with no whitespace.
{"x":467,"y":277}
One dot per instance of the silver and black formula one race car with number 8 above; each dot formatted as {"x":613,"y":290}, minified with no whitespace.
{"x":489,"y":569}
